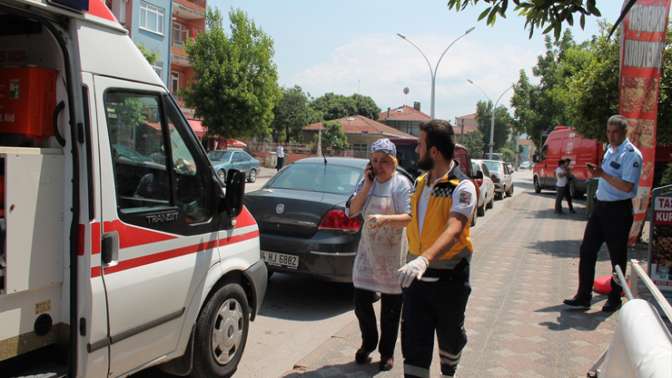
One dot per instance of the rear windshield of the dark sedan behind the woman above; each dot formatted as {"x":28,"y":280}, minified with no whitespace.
{"x":334,"y":179}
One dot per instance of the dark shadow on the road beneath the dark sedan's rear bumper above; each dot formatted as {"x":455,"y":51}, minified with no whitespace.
{"x":305,"y":298}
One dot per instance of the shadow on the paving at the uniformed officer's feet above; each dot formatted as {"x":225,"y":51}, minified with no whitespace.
{"x":569,"y":318}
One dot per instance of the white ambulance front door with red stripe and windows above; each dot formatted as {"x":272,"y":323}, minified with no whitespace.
{"x":159,"y":232}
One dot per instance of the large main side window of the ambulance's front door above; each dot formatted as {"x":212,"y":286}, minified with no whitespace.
{"x":138,"y":152}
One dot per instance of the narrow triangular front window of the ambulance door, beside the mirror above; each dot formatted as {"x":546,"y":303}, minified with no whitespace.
{"x":189,"y":174}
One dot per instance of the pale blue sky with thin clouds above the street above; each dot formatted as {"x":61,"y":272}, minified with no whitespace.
{"x":351,"y":46}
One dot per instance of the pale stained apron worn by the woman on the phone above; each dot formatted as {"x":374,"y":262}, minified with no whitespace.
{"x":381,"y":251}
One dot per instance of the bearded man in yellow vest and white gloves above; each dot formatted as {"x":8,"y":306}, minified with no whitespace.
{"x":435,"y":280}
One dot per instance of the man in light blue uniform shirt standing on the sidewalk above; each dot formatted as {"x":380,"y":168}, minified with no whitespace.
{"x":611,"y":219}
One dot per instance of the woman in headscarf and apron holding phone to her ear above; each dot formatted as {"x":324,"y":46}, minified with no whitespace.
{"x":383,"y":198}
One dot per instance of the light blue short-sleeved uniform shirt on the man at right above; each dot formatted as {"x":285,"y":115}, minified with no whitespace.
{"x":625,"y":163}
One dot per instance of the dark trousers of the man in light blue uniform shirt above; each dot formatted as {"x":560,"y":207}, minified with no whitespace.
{"x":609,"y":223}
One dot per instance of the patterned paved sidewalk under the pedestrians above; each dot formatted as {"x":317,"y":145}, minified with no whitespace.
{"x":525,"y":264}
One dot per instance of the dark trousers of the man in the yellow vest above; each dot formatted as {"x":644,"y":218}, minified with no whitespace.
{"x":431,"y":307}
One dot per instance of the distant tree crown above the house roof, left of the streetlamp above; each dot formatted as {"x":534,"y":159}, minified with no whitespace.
{"x":334,"y":106}
